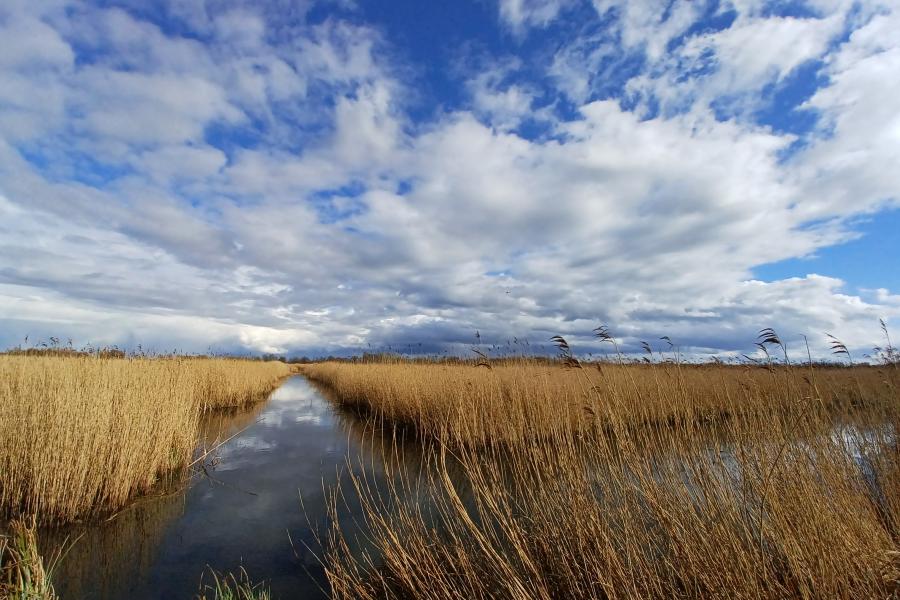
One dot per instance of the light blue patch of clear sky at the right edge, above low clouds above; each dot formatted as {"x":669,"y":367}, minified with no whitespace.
{"x":867,"y":262}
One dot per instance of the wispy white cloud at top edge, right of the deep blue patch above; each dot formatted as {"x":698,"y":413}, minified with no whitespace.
{"x":687,"y":68}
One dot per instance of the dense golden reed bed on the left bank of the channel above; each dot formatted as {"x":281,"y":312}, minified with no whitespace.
{"x":81,"y":435}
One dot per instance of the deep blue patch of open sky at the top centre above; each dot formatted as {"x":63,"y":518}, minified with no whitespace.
{"x":460,"y":39}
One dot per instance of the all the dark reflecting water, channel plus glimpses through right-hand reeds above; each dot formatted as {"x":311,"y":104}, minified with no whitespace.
{"x":246,"y":510}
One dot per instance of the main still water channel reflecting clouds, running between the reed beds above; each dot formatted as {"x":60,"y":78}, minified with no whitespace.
{"x":245,"y":510}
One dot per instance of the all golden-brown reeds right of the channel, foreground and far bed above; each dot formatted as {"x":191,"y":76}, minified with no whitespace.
{"x":626,"y":481}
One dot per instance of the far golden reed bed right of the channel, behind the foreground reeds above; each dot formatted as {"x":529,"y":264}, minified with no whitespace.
{"x":520,"y":400}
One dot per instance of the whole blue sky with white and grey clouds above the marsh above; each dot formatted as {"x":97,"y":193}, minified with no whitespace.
{"x":339,"y":176}
